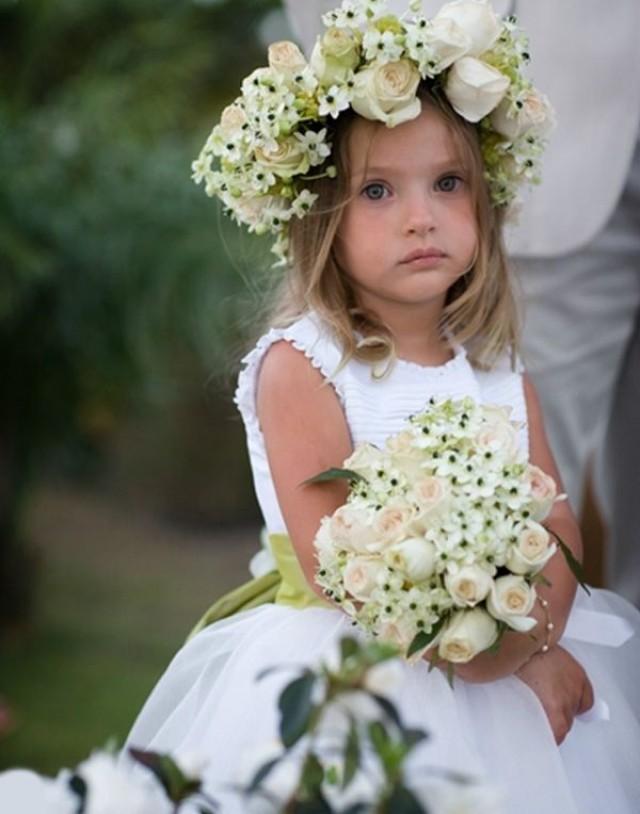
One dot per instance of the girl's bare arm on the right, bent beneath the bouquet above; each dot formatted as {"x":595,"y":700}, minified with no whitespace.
{"x":517,"y":648}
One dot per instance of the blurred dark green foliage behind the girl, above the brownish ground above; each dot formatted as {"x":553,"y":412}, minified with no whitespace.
{"x":112,"y":263}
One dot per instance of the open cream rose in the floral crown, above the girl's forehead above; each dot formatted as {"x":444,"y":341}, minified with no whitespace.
{"x":387,"y":93}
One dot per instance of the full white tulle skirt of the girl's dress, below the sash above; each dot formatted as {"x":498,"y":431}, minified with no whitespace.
{"x":210,"y":702}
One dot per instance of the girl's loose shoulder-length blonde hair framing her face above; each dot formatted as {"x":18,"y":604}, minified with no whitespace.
{"x":480,"y":308}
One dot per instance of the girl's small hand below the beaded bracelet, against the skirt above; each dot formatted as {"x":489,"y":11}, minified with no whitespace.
{"x":561,"y":685}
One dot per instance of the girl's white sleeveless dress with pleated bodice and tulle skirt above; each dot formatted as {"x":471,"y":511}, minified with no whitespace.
{"x":209,"y":701}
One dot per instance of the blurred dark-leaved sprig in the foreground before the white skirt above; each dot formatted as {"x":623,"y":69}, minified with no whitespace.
{"x":381,"y":745}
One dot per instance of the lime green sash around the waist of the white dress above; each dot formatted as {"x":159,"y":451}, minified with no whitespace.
{"x":285,"y":586}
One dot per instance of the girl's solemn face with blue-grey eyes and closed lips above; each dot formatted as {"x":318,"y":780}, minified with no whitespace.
{"x":409,"y":230}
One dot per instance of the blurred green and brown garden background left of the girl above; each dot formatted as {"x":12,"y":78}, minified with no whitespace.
{"x":126,"y":501}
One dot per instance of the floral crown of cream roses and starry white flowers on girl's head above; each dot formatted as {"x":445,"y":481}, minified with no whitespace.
{"x":273,"y":139}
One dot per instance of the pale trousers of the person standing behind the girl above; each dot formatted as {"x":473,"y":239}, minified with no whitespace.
{"x":581,"y":345}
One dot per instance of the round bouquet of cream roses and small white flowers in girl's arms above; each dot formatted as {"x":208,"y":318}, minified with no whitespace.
{"x":440,"y":542}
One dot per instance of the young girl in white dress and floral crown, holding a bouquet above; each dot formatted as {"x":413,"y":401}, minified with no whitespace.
{"x":396,"y":290}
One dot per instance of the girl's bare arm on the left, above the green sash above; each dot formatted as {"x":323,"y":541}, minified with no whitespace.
{"x":305,"y":432}
